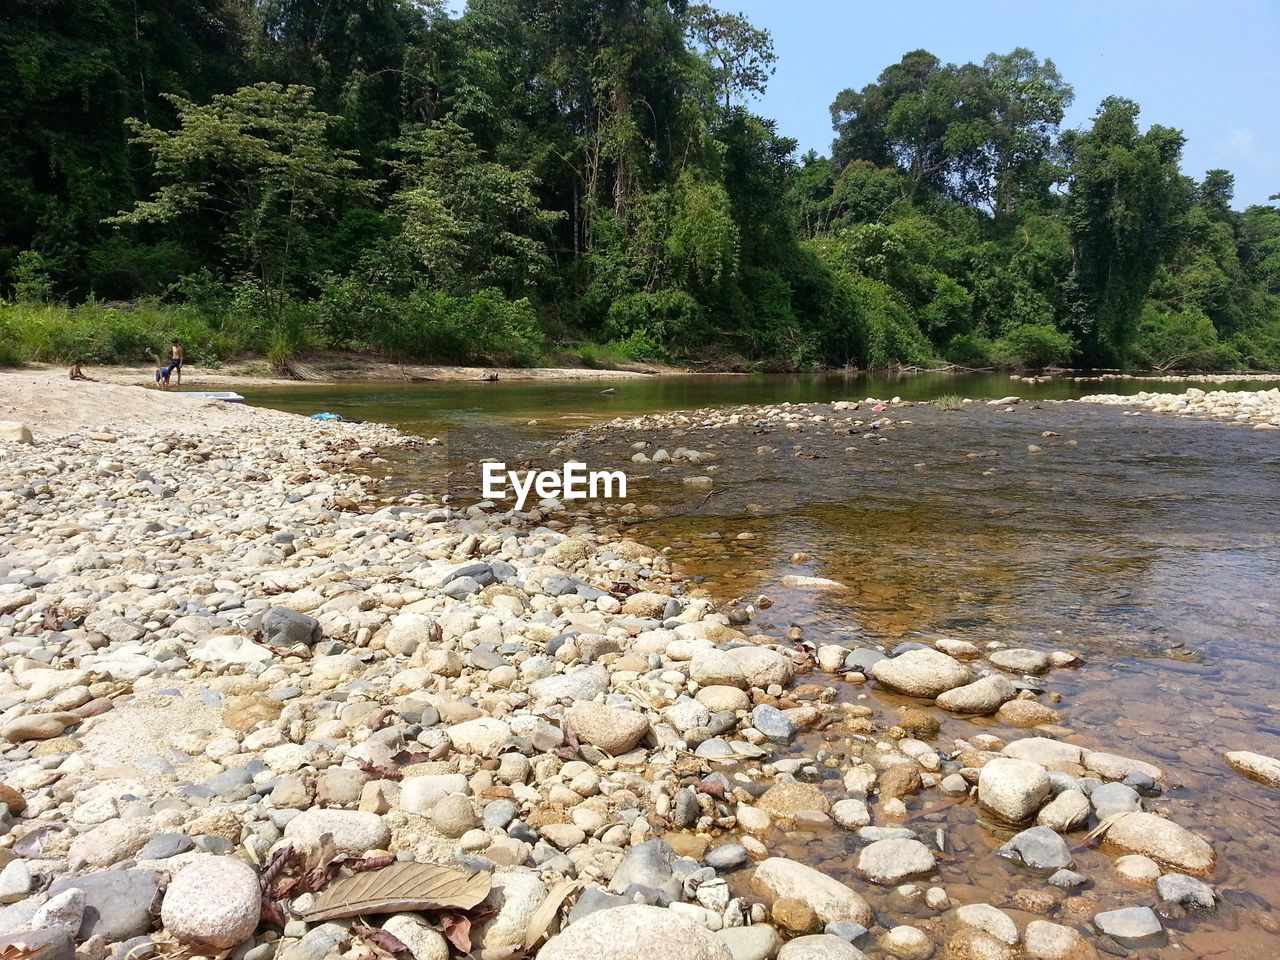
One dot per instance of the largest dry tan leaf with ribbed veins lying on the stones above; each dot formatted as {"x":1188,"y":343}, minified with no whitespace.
{"x":399,"y":888}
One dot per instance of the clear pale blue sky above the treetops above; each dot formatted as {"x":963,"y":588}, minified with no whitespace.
{"x":1212,"y":70}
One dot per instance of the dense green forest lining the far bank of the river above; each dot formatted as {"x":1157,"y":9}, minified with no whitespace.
{"x":540,"y":177}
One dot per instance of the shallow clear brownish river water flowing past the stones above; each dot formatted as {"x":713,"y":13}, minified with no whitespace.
{"x":1149,"y":545}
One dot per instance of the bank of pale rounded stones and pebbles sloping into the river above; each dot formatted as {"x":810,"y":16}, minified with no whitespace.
{"x":248,"y":703}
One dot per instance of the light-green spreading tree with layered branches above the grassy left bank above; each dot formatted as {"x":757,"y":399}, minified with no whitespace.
{"x":258,"y":168}
